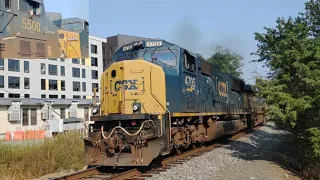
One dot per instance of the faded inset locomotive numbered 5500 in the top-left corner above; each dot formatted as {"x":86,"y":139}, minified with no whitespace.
{"x":28,"y":32}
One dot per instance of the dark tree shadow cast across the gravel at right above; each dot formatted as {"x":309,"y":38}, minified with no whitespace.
{"x":268,"y":144}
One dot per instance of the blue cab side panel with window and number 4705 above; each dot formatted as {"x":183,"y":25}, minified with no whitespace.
{"x":190,"y":89}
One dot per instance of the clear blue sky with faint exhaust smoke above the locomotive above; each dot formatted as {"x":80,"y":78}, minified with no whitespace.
{"x":197,"y":25}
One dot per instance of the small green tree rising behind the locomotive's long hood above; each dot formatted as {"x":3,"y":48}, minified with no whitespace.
{"x":227,"y":61}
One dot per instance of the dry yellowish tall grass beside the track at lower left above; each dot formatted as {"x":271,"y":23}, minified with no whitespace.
{"x":64,"y":152}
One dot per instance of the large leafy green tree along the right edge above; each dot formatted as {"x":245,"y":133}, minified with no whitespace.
{"x":291,"y":50}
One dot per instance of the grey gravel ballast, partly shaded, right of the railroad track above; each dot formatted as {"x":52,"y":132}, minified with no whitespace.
{"x":263,"y":154}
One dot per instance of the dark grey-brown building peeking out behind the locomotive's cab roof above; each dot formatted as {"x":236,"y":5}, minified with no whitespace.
{"x":115,"y":42}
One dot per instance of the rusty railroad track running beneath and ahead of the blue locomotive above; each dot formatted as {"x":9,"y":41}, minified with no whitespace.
{"x":167,"y":163}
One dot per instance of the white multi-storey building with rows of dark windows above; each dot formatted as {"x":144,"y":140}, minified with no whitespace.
{"x":34,"y":90}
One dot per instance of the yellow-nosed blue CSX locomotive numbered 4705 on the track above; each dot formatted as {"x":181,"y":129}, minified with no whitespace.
{"x":157,"y":97}
